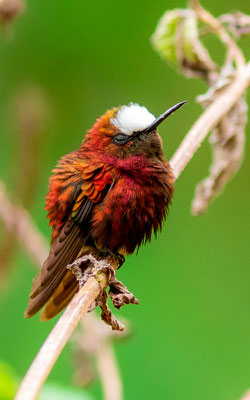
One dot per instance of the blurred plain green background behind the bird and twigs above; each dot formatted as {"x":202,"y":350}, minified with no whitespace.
{"x":190,"y":334}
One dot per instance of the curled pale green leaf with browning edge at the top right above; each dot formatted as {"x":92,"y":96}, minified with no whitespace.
{"x":176,"y":39}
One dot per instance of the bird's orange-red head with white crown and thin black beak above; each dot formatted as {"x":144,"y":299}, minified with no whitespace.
{"x":127,"y":130}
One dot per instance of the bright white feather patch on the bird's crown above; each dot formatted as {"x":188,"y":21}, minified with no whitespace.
{"x":132,"y":118}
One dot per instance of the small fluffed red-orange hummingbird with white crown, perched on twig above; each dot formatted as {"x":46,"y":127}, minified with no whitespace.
{"x":105,"y":198}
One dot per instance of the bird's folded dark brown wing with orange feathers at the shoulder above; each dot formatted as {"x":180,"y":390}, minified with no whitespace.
{"x":65,"y":248}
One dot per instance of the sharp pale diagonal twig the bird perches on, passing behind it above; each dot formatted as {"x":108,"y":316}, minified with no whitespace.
{"x":59,"y":336}
